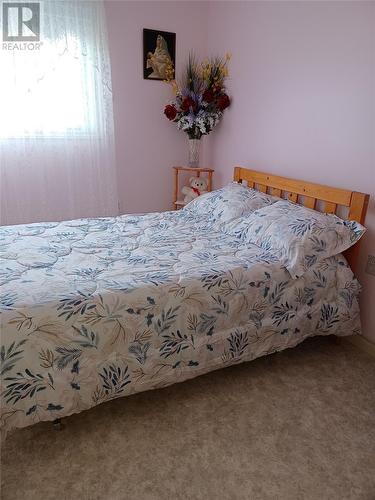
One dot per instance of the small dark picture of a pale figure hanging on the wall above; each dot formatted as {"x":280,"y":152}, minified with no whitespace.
{"x":159,"y":54}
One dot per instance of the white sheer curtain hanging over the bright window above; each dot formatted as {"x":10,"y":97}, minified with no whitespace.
{"x":56,"y":120}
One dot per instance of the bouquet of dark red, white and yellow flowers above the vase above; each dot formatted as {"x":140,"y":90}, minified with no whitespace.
{"x":200,"y":101}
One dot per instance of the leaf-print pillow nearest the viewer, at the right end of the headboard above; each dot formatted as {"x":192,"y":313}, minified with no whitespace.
{"x":299,"y":236}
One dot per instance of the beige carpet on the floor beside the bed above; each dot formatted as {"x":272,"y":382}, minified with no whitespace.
{"x":295,"y":425}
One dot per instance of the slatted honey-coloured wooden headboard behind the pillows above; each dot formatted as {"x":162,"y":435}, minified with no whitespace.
{"x":315,"y":196}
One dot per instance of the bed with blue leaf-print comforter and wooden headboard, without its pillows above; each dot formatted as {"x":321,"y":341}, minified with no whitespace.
{"x":96,"y":309}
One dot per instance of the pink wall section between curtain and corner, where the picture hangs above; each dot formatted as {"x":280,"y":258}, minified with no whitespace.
{"x":147,"y":145}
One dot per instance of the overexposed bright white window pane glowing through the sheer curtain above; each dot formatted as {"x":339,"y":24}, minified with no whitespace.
{"x":43,"y":93}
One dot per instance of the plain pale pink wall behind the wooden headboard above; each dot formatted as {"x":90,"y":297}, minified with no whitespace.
{"x":303,"y":87}
